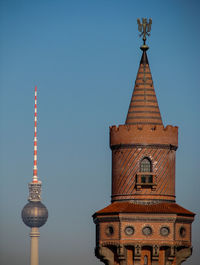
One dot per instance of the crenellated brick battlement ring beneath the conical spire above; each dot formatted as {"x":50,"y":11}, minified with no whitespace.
{"x":143,"y":134}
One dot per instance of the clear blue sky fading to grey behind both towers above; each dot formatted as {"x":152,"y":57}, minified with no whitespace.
{"x":84,"y":56}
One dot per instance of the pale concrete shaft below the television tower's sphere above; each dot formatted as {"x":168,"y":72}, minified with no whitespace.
{"x":34,"y":235}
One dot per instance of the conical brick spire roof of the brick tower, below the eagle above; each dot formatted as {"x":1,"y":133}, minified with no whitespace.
{"x":144,"y":107}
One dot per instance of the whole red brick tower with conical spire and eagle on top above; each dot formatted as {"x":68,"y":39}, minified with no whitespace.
{"x":143,"y":225}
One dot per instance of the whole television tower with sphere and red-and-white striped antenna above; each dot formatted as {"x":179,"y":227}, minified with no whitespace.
{"x":34,"y":213}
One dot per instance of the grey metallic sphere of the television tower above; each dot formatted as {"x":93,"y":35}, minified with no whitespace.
{"x":34,"y":214}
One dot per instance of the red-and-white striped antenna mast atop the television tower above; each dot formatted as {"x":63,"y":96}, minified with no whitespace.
{"x":35,"y":177}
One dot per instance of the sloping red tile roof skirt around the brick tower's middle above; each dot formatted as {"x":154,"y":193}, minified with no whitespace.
{"x":129,"y":207}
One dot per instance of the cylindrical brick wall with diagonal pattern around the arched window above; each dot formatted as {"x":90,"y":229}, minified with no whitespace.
{"x":126,"y":167}
